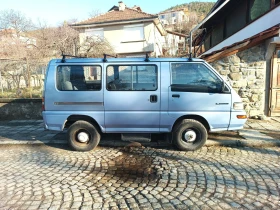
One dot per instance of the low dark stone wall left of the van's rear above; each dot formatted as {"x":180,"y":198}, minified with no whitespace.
{"x":20,"y":109}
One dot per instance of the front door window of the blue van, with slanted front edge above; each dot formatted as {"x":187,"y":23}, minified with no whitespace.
{"x":194,"y":77}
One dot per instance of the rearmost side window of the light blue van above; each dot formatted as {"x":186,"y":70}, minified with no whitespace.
{"x":78,"y":78}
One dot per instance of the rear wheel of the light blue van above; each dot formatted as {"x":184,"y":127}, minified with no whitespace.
{"x":89,"y":130}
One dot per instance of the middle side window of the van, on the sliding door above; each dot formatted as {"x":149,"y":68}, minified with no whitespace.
{"x":132,"y":78}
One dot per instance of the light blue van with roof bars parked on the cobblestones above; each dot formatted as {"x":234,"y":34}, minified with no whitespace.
{"x":136,"y":97}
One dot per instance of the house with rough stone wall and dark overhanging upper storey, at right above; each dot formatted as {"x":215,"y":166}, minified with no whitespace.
{"x":242,"y":41}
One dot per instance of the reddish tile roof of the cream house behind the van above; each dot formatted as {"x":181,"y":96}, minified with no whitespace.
{"x":115,"y":15}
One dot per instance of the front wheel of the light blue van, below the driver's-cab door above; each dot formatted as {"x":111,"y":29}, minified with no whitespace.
{"x":197,"y":134}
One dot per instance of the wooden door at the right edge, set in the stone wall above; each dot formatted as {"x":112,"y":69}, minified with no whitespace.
{"x":274,"y":105}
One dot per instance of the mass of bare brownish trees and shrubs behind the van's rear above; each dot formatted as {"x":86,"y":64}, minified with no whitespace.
{"x":28,"y":51}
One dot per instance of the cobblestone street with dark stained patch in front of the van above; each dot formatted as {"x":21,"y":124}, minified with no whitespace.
{"x":44,"y":177}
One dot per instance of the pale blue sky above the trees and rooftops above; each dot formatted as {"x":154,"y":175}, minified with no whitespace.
{"x":54,"y":12}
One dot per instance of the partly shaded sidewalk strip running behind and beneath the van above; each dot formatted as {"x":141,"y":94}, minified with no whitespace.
{"x":256,"y":133}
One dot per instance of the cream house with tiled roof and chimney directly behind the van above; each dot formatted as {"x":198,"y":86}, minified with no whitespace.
{"x":130,"y":31}
